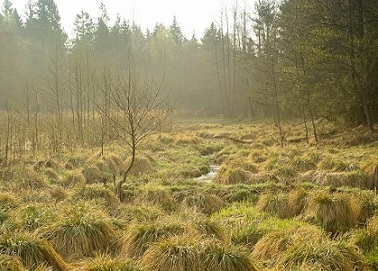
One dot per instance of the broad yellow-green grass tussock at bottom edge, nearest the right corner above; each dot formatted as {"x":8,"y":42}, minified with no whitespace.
{"x":307,"y":248}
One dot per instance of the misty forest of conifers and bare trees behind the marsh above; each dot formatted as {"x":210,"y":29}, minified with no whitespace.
{"x":278,"y":59}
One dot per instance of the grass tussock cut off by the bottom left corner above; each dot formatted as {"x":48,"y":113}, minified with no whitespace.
{"x":31,"y":250}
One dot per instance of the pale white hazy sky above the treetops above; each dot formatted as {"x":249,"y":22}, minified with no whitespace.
{"x":192,"y":15}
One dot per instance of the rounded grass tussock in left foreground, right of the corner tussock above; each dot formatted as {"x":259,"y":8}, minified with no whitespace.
{"x":81,"y":232}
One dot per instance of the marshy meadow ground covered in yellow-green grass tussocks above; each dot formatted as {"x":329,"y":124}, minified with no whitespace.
{"x":204,"y":195}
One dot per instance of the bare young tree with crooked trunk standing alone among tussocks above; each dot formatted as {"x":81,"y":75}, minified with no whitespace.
{"x":136,"y":112}
